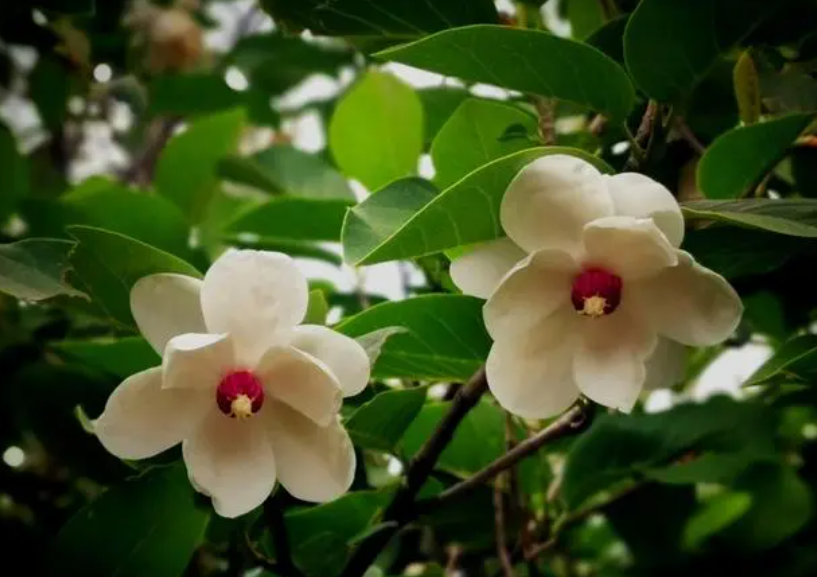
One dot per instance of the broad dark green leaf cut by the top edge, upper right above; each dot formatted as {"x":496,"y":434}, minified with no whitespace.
{"x":670,"y":46}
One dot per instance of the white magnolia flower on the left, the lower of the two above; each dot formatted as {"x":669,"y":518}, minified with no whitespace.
{"x":252,"y":396}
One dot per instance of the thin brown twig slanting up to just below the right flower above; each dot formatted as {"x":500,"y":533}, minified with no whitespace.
{"x":569,"y":423}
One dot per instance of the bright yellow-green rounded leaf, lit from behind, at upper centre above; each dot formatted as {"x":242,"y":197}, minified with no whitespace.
{"x":376,"y":131}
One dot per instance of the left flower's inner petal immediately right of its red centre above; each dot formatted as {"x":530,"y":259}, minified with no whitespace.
{"x":302,"y":382}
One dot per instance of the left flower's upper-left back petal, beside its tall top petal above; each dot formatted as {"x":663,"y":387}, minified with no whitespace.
{"x":166,"y":305}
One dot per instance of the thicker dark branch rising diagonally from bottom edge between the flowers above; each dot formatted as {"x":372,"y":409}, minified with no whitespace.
{"x":402,"y":508}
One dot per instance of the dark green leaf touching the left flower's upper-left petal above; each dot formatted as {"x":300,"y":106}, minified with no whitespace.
{"x":108,"y":264}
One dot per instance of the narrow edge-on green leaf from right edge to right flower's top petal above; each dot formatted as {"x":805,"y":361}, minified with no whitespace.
{"x":791,"y":217}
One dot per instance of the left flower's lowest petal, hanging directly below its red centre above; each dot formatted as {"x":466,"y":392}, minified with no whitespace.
{"x":231,"y":461}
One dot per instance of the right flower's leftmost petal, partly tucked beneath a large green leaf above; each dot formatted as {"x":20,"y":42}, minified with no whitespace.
{"x":479,"y":271}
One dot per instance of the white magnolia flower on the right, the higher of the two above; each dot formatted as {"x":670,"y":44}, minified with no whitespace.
{"x":590,"y":293}
